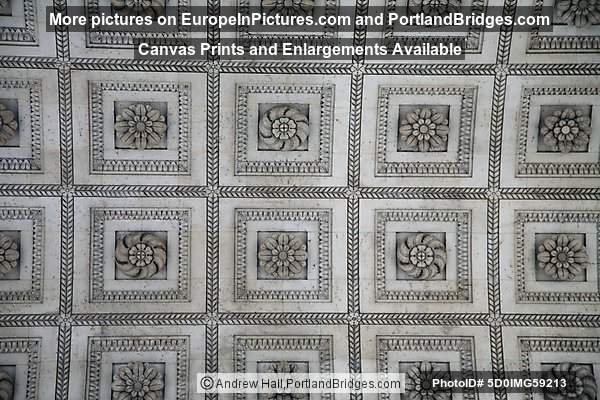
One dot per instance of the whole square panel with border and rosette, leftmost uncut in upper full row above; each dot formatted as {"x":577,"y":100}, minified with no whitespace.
{"x":115,"y":112}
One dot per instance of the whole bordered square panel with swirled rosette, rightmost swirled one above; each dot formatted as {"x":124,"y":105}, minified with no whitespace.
{"x":402,"y":257}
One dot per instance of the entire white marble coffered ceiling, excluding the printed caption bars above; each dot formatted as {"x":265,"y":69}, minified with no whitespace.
{"x":178,"y":218}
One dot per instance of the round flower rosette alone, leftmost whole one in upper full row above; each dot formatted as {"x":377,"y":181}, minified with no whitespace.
{"x":140,"y":126}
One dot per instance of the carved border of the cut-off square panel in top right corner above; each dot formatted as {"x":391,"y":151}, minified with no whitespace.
{"x":540,"y":43}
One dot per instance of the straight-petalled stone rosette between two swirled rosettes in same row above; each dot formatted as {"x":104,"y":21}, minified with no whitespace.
{"x":283,"y":255}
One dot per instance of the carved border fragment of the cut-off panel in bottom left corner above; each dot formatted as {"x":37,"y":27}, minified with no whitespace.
{"x":32,"y":347}
